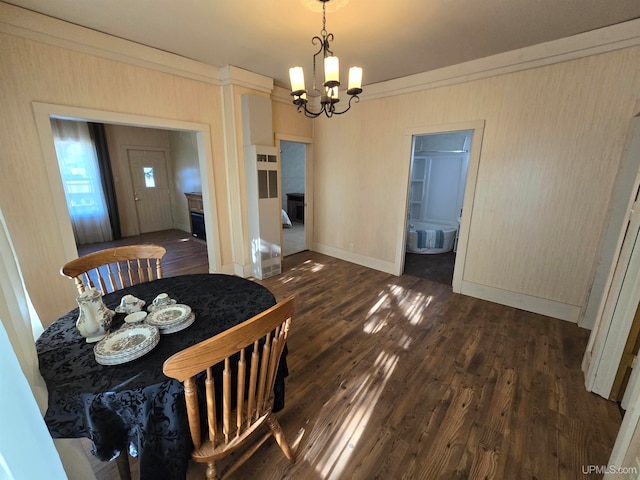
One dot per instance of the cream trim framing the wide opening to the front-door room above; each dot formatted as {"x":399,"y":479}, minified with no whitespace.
{"x":44,"y":111}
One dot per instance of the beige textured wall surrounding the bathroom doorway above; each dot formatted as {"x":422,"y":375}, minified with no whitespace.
{"x":552,"y":142}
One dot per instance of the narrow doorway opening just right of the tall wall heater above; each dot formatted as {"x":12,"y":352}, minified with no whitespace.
{"x":294,"y":176}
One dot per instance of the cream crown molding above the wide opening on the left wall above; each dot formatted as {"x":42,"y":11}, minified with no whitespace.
{"x":35,"y":26}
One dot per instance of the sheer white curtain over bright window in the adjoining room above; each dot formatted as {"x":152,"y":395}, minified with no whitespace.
{"x":81,"y":180}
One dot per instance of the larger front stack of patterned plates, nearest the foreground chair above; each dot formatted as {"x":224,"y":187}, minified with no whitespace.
{"x":126,"y":344}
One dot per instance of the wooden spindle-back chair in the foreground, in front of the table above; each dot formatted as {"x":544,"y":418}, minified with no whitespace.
{"x":265,"y":335}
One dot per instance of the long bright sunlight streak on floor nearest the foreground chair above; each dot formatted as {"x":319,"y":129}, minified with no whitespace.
{"x":344,"y":418}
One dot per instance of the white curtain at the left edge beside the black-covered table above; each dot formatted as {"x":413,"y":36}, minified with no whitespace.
{"x":24,"y":394}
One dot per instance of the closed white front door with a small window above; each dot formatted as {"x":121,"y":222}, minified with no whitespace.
{"x":150,"y":182}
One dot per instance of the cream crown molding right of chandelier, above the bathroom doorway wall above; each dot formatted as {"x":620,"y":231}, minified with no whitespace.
{"x":598,"y":41}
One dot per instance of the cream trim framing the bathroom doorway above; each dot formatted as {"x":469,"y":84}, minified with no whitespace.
{"x":477,"y":126}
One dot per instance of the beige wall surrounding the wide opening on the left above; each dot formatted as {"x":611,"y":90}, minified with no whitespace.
{"x":33,"y":71}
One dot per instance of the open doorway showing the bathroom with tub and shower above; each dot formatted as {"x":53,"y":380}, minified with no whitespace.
{"x":437,"y":180}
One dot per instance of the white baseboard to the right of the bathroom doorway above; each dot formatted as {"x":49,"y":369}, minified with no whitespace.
{"x":543,"y":306}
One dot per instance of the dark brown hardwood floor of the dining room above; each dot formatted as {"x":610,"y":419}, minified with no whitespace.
{"x":399,"y":378}
